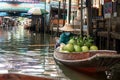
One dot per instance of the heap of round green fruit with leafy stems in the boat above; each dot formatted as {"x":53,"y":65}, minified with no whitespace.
{"x":80,"y":44}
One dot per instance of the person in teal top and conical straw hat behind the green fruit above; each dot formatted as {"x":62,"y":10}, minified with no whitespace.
{"x":65,"y":35}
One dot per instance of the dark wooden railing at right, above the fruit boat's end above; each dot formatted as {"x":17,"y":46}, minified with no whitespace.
{"x":107,"y":33}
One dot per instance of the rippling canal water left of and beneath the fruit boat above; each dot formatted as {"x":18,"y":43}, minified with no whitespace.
{"x":26,"y":52}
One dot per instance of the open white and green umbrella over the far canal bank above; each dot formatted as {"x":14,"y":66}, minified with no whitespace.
{"x":37,"y":11}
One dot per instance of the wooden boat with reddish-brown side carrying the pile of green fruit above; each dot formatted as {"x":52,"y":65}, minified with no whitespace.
{"x":92,"y":61}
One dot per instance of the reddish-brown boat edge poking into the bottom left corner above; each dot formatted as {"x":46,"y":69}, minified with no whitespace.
{"x":13,"y":76}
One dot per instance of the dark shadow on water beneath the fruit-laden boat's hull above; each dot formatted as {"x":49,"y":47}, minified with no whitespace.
{"x":77,"y":75}
